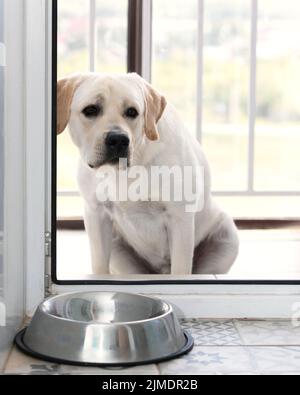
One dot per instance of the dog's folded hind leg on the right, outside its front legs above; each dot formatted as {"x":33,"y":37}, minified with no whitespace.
{"x":217,"y":253}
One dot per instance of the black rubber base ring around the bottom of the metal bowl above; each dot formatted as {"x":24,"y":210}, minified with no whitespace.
{"x":19,"y":341}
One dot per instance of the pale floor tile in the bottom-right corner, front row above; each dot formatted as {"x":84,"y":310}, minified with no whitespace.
{"x":276,"y":359}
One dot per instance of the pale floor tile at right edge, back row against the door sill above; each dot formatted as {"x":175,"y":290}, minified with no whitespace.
{"x":266,"y":333}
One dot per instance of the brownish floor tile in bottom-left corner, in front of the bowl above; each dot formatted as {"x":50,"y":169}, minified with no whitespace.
{"x":20,"y":364}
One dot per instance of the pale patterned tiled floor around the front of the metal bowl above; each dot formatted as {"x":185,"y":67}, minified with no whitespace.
{"x":221,"y":348}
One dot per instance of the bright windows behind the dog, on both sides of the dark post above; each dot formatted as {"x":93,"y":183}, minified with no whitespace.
{"x":220,"y":63}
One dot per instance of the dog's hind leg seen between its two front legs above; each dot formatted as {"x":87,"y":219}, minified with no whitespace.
{"x":124,"y":260}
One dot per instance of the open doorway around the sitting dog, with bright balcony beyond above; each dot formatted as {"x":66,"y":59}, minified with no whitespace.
{"x":222,"y":67}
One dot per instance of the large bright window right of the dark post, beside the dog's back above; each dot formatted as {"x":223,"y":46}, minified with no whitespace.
{"x":233,"y":94}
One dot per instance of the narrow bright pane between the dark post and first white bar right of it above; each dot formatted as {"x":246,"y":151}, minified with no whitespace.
{"x":174,"y":54}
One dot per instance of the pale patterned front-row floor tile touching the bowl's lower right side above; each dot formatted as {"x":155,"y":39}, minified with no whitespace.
{"x":210,"y":359}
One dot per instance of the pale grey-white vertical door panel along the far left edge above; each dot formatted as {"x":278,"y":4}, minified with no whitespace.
{"x":12,"y":298}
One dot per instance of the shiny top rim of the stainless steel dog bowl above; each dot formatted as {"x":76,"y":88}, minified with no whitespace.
{"x":168,"y":311}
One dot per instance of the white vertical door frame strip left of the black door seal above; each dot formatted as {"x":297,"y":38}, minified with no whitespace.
{"x":37,"y":128}
